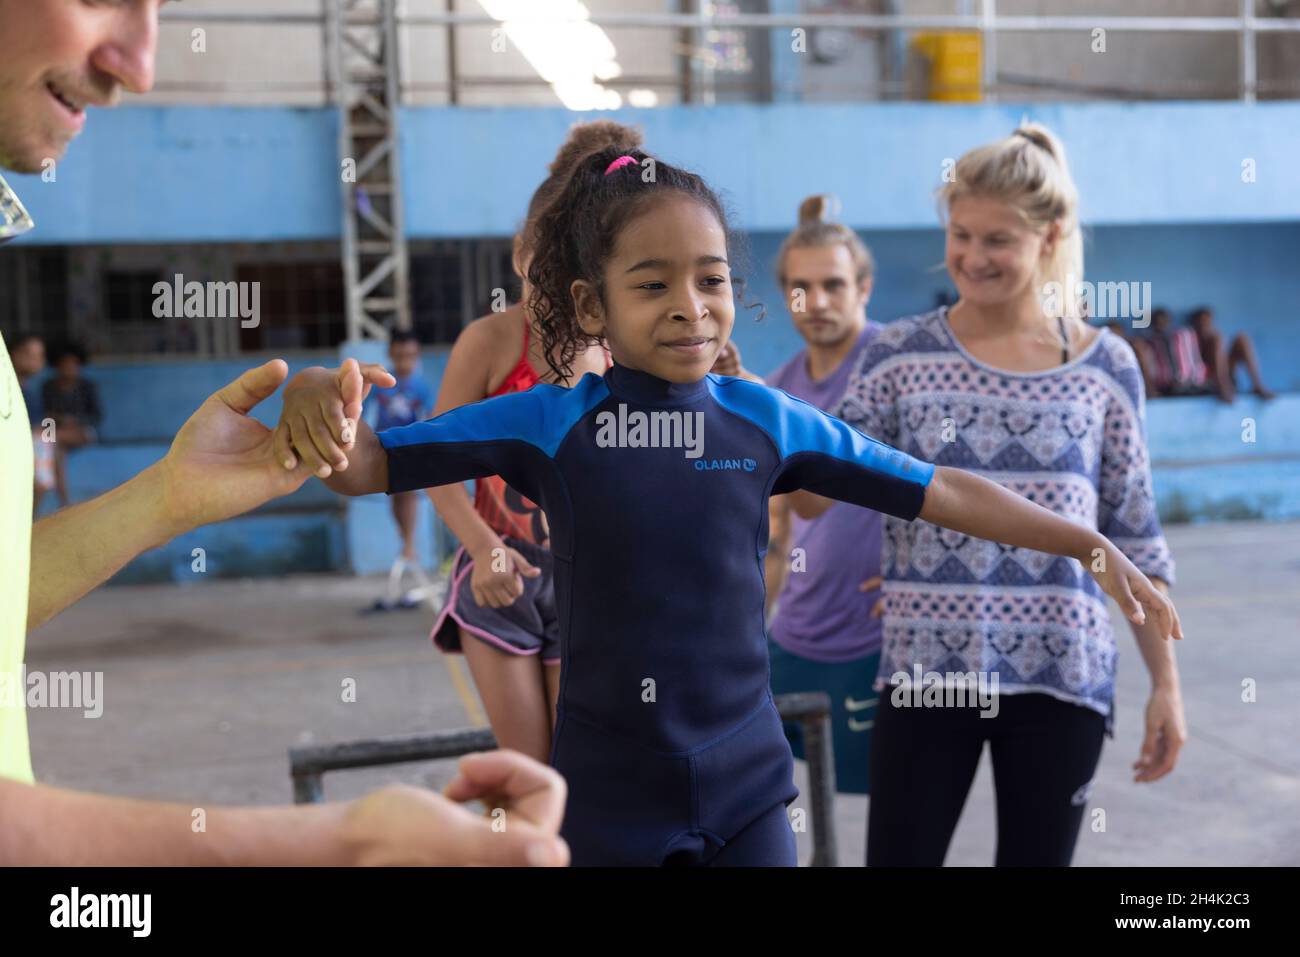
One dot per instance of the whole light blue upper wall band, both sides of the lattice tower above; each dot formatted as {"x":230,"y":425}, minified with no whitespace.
{"x":194,"y":175}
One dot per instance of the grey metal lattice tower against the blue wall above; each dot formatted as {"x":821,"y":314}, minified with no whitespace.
{"x":365,"y":57}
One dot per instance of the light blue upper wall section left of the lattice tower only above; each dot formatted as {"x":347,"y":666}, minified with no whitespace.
{"x":192,"y":175}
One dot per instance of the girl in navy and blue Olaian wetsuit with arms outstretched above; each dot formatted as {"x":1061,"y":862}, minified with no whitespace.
{"x":656,"y":483}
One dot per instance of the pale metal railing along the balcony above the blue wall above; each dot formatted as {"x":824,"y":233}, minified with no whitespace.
{"x":987,"y":23}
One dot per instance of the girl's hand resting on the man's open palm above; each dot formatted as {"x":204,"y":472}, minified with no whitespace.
{"x":318,"y":422}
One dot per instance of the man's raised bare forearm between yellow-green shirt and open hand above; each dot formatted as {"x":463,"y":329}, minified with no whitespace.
{"x":79,"y":548}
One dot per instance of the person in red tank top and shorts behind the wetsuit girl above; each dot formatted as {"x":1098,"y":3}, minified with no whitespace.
{"x":501,"y":601}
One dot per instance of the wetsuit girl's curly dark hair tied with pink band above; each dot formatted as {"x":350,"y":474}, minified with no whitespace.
{"x":577,"y":233}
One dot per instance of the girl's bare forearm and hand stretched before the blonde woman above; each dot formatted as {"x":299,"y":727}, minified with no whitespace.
{"x":965,"y":503}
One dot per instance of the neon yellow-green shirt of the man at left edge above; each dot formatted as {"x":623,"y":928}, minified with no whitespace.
{"x":16,"y":482}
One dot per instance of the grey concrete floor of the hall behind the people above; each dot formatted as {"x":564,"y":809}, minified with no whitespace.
{"x":207,"y":686}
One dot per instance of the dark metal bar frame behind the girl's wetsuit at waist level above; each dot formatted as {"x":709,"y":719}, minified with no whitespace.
{"x":811,"y":709}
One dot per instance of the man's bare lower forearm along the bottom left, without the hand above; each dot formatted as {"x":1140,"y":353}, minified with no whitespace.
{"x":50,"y":826}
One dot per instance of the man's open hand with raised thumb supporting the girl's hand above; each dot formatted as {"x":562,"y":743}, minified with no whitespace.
{"x":223,"y":462}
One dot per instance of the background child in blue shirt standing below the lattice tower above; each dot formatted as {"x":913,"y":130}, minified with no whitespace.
{"x":410,"y":401}
